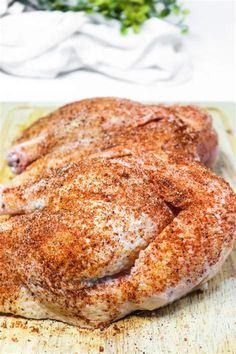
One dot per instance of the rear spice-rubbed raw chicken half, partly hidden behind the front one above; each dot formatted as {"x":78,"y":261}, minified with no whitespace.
{"x":93,"y":125}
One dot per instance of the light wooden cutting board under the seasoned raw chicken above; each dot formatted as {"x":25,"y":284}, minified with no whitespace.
{"x":202,"y":322}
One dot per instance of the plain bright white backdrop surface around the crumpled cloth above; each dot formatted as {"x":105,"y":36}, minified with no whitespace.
{"x":211,"y":46}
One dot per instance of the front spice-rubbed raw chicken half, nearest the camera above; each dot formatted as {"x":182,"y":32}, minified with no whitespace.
{"x":110,"y":234}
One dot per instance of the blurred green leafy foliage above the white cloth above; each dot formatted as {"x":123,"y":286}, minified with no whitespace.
{"x":130,"y":13}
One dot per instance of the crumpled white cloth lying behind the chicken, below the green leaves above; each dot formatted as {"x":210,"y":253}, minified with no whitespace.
{"x":46,"y":44}
